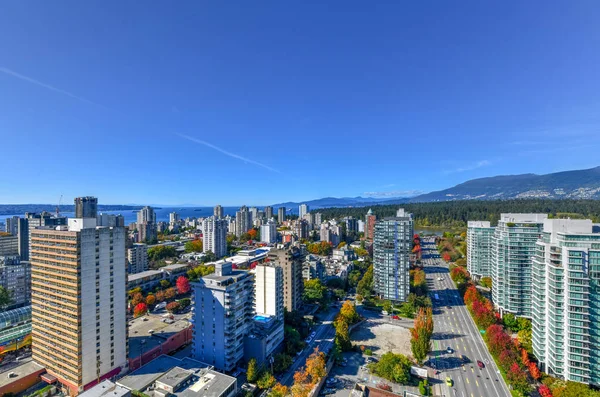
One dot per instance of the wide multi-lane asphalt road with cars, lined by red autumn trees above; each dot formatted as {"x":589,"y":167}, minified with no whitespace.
{"x":455,"y":328}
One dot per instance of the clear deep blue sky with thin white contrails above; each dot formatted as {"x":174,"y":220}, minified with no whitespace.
{"x":262,"y":102}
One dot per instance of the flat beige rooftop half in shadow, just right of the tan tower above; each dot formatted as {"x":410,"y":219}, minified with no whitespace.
{"x":141,"y":340}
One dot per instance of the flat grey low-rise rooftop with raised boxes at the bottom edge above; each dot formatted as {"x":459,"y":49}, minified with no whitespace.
{"x":171,"y":371}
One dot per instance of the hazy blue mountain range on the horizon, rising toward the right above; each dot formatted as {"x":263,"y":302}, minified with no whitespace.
{"x":578,"y":184}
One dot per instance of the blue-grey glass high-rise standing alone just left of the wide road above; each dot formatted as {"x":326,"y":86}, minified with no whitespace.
{"x":392,"y":246}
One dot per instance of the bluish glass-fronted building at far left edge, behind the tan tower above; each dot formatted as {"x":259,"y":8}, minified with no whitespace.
{"x":15,"y":277}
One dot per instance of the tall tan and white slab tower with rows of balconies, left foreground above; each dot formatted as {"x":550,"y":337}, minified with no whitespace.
{"x":79,"y":328}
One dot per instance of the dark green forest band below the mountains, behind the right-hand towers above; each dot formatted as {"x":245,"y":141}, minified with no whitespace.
{"x":457,"y":213}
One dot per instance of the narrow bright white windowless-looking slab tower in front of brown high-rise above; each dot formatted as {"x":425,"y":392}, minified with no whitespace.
{"x":269,"y":290}
